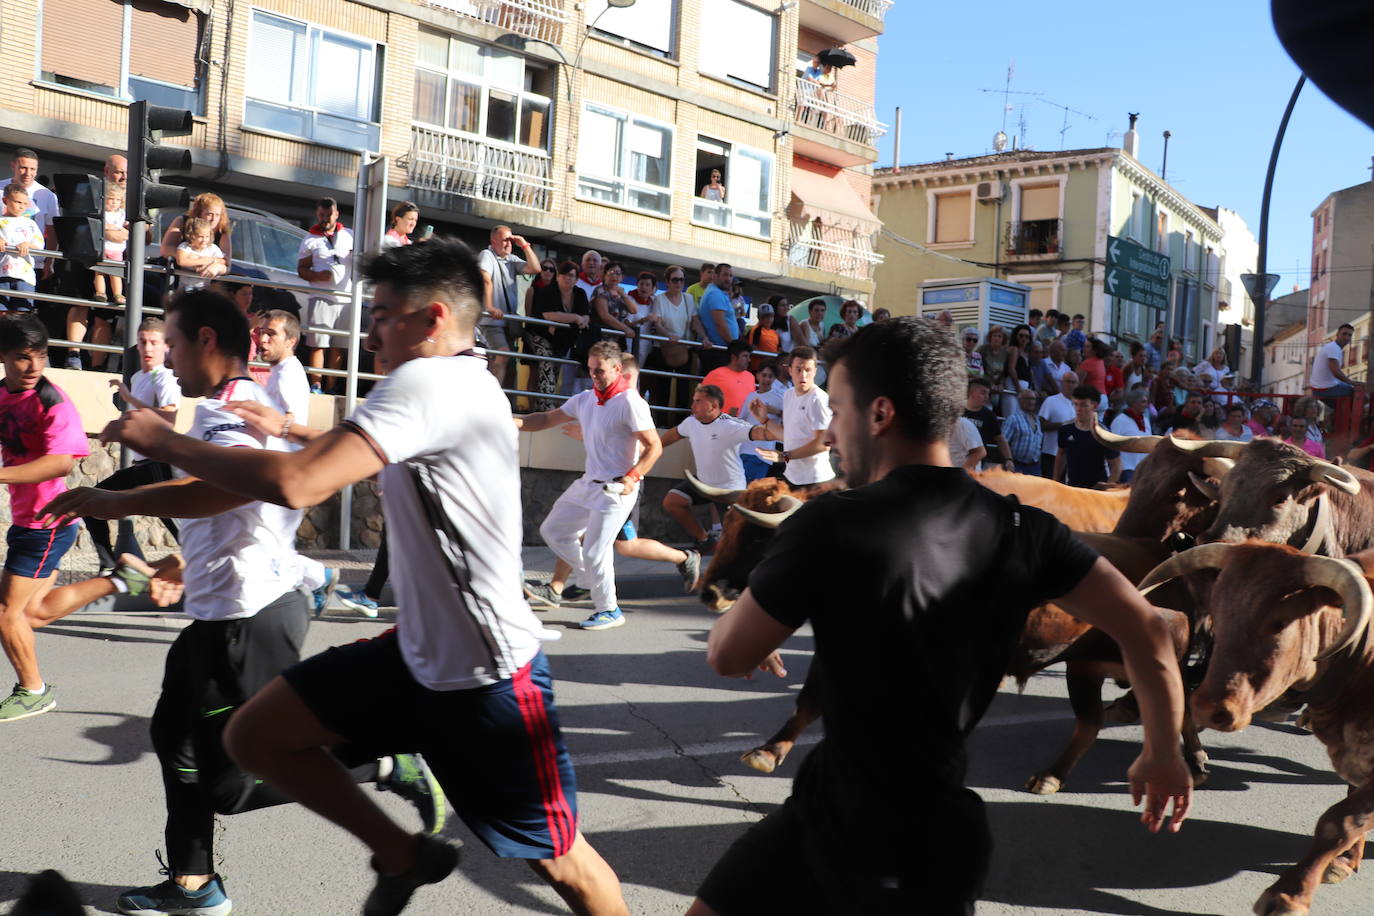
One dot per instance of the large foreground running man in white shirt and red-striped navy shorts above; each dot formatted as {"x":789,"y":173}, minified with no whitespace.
{"x":465,"y":652}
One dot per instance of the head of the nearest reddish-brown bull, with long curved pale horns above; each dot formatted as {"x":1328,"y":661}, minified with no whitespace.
{"x":1277,"y":616}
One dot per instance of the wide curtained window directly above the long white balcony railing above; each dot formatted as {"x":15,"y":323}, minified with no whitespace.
{"x":475,"y":89}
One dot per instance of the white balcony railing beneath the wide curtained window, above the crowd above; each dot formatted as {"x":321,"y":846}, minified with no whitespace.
{"x":469,"y":168}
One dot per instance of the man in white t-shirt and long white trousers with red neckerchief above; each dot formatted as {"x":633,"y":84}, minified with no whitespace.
{"x":622,"y":446}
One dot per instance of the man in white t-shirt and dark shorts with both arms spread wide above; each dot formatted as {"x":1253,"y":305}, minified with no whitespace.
{"x":717,"y":440}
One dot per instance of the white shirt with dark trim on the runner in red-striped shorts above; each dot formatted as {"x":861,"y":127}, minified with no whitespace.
{"x":451,"y":496}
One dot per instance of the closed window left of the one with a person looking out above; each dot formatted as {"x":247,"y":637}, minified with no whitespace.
{"x":624,"y":160}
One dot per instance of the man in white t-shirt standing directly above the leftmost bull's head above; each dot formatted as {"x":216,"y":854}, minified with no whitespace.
{"x":806,"y":417}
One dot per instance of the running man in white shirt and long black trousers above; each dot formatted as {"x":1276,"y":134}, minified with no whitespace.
{"x":249,"y":617}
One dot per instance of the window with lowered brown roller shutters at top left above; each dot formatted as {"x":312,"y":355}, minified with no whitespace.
{"x":149,"y":50}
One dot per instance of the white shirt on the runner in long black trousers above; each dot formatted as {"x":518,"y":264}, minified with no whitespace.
{"x":241,"y":561}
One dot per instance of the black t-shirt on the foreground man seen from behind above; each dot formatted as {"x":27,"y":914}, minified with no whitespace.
{"x":917,"y":588}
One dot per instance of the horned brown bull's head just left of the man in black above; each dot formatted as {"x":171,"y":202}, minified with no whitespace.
{"x":745,"y":531}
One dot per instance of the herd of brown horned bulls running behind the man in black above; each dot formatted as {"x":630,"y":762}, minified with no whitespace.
{"x":1262,"y":558}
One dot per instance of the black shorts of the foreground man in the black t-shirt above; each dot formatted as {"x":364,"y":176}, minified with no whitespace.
{"x":777,"y":867}
